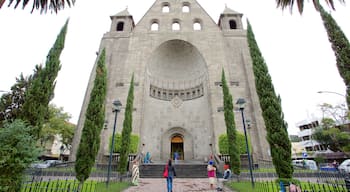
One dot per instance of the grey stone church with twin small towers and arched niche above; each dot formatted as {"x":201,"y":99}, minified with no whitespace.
{"x":176,"y":53}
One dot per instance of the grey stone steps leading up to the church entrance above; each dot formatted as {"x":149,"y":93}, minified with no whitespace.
{"x":183,"y":170}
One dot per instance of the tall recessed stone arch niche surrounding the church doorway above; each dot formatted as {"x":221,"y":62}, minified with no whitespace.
{"x":176,"y":101}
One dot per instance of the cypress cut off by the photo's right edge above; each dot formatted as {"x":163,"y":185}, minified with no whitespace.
{"x":341,"y":48}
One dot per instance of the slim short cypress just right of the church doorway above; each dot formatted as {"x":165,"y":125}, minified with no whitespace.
{"x":231,"y":131}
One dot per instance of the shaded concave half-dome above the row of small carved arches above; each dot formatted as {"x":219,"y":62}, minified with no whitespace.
{"x":176,"y":62}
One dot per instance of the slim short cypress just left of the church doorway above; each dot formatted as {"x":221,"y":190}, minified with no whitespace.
{"x":127,"y":129}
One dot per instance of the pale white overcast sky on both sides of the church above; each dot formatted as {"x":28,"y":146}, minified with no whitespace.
{"x":295,"y":47}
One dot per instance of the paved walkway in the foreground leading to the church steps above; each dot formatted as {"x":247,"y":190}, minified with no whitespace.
{"x":179,"y":185}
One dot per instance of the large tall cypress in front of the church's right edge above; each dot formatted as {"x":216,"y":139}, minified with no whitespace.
{"x":276,"y":127}
